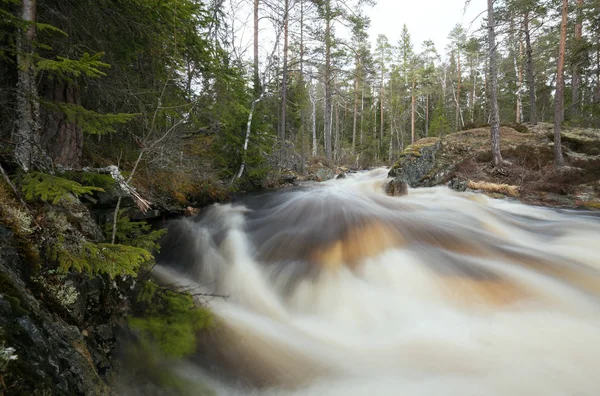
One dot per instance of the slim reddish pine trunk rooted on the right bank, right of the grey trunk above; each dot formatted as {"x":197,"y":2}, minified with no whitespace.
{"x":560,"y":86}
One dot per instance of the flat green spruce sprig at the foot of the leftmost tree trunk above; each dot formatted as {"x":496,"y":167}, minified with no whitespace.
{"x":49,"y":188}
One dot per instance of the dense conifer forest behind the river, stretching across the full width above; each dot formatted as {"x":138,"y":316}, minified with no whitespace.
{"x":166,"y":82}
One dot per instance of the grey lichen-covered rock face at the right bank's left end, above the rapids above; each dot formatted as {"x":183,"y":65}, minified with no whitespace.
{"x":416,"y":161}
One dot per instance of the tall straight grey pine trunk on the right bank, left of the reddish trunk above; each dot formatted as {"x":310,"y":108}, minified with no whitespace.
{"x":494,"y":112}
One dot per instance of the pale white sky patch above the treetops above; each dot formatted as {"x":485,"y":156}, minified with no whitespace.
{"x":425,"y":19}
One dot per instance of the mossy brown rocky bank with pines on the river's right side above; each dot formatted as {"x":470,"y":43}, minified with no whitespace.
{"x":462,"y":161}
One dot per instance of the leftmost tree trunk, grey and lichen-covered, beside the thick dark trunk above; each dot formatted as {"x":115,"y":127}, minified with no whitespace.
{"x":26,"y":133}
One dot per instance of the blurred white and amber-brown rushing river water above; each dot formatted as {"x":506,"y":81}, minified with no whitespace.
{"x":338,"y":289}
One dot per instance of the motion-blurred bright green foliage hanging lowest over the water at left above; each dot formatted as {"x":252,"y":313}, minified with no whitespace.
{"x":170,"y":320}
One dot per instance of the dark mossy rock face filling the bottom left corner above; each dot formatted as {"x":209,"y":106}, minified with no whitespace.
{"x":52,"y":355}
